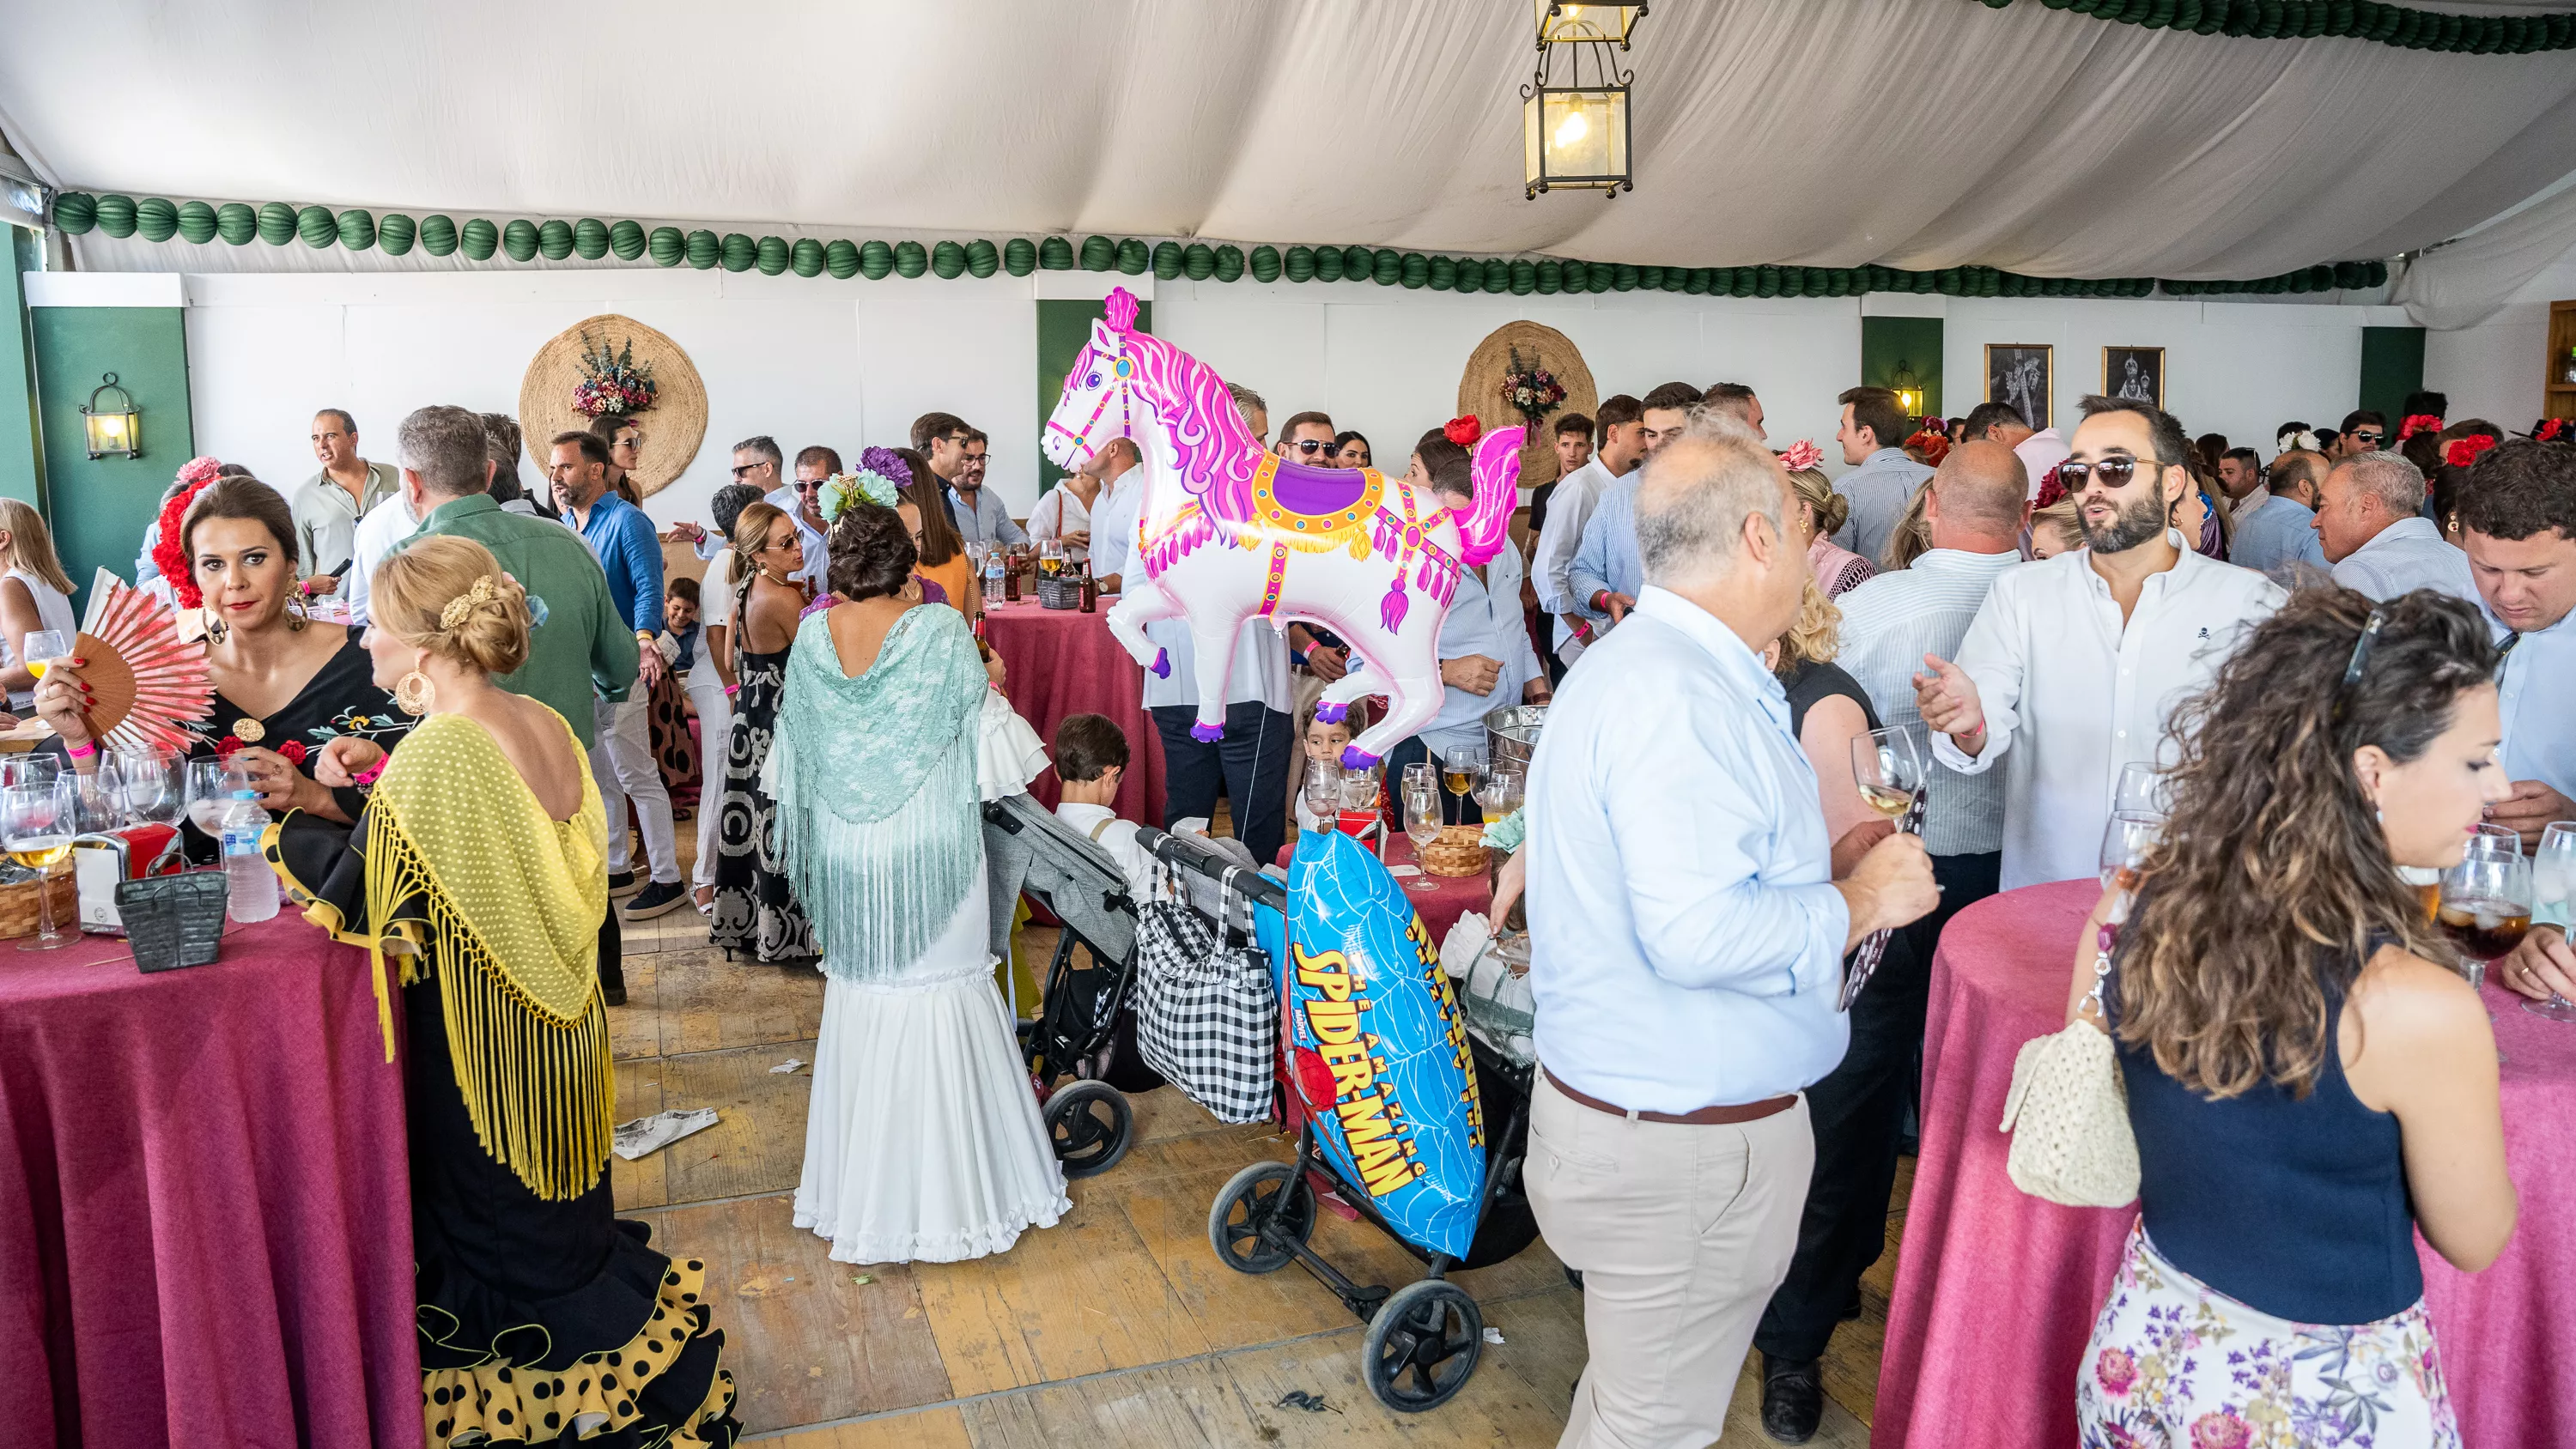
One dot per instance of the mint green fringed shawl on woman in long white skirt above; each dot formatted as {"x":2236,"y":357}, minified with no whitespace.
{"x":877,"y":791}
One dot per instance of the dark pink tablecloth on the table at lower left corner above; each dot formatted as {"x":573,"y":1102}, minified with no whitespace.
{"x":205,"y":1203}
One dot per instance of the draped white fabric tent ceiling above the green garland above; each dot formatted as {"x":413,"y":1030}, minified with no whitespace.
{"x":1820,"y":133}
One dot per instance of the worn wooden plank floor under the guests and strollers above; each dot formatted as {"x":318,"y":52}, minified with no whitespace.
{"x":1117,"y":1327}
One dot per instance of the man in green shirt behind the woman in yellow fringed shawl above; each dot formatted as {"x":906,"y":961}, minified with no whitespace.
{"x":581,"y":647}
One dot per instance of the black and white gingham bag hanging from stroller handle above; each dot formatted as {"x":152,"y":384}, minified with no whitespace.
{"x":1207,"y":1013}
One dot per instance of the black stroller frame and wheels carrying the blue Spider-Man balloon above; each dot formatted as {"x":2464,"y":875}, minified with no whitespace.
{"x":1426,"y":1337}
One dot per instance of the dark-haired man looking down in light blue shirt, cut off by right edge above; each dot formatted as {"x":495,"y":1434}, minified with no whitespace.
{"x":2518,"y":521}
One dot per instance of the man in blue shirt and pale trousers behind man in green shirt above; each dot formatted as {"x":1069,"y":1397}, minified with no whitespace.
{"x":622,"y":761}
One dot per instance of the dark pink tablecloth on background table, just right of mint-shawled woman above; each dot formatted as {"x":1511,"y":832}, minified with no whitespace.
{"x":1065,"y":663}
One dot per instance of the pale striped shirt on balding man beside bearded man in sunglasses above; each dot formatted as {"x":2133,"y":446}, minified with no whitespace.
{"x":1887,"y":629}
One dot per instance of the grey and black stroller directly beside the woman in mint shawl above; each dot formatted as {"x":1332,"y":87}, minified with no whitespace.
{"x":1083,"y":1023}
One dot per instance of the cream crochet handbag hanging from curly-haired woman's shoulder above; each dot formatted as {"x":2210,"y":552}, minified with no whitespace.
{"x":2070,"y":1111}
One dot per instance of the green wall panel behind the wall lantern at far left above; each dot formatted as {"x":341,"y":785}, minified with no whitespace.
{"x":102,"y":508}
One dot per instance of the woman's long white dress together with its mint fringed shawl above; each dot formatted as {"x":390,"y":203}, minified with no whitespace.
{"x":923,"y":1139}
